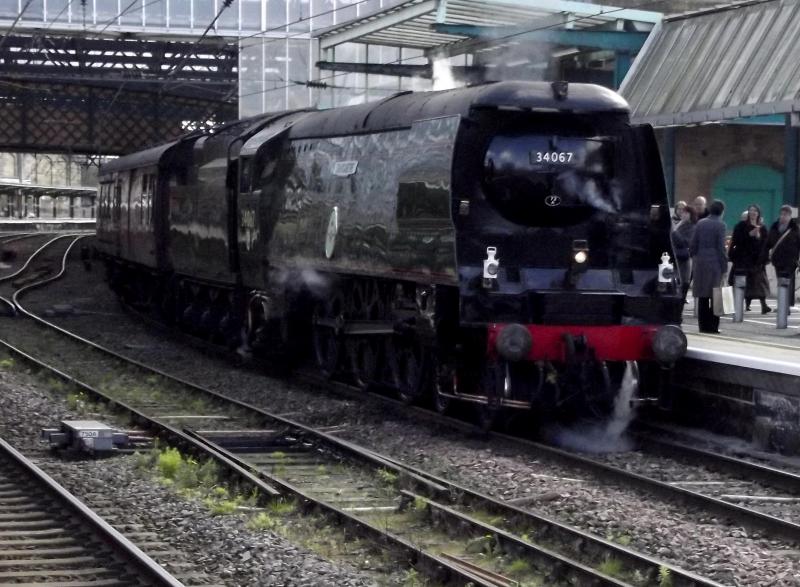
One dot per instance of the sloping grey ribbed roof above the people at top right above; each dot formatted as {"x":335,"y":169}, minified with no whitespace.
{"x":742,"y":60}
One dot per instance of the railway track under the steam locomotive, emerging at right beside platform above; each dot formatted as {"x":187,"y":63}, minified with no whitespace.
{"x":758,"y":497}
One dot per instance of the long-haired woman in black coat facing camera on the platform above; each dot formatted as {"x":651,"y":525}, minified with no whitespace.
{"x":746,"y":254}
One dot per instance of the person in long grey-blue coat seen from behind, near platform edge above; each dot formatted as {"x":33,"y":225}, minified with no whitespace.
{"x":709,"y":263}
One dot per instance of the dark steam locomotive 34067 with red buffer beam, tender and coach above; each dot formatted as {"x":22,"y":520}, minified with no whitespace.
{"x":498,"y":244}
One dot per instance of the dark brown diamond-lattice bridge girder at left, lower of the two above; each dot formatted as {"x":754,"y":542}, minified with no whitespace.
{"x":87,"y":119}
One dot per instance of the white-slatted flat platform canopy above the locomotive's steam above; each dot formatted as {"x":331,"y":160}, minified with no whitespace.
{"x":456,"y":26}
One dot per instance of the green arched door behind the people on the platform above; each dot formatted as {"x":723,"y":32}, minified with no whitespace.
{"x":741,"y":186}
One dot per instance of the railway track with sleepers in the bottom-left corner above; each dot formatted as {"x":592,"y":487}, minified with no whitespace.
{"x":49,"y":537}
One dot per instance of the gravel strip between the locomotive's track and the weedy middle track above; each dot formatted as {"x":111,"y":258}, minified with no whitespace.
{"x":688,"y":538}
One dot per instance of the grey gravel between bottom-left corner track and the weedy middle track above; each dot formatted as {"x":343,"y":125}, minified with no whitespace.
{"x":205,"y":549}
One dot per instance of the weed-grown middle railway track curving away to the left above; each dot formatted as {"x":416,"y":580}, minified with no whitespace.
{"x":453,"y":533}
